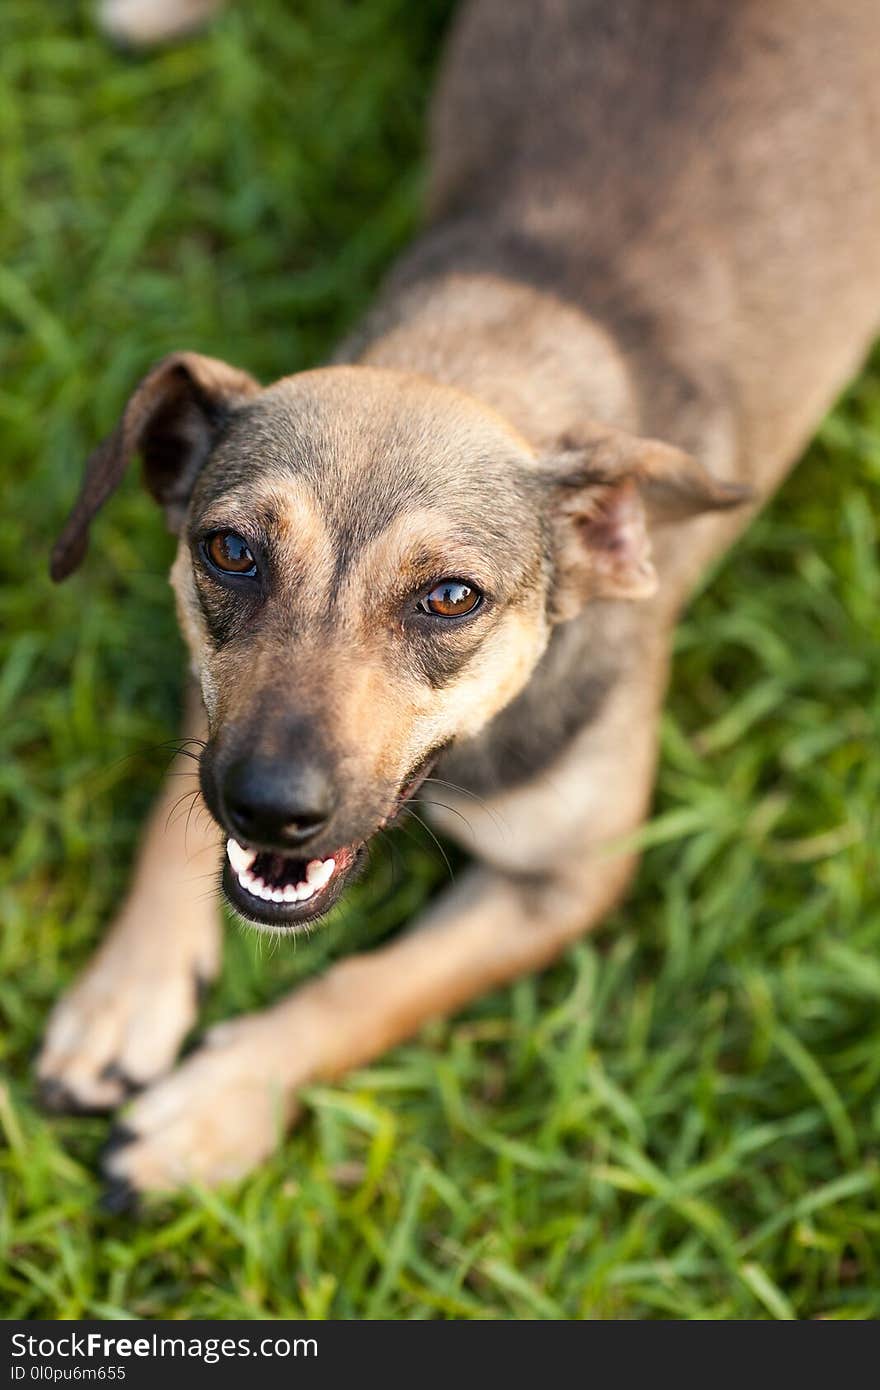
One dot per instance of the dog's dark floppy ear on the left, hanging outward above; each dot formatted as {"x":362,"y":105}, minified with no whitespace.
{"x":172,"y":420}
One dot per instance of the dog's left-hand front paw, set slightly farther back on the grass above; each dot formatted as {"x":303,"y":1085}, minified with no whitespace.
{"x":123,"y":1022}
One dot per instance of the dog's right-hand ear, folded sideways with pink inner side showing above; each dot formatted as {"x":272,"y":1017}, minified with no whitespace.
{"x":607,"y":489}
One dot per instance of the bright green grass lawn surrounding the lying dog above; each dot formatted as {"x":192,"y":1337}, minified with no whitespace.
{"x":682,"y":1120}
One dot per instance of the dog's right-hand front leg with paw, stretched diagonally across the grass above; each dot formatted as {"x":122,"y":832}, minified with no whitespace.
{"x":226,"y":1109}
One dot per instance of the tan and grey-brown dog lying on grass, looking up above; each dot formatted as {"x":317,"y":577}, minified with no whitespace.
{"x":458,"y":551}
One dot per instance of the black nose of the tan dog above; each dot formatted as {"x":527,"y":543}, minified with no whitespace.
{"x":277,"y":804}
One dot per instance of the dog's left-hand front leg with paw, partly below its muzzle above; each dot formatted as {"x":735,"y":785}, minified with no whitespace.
{"x":124,"y":1020}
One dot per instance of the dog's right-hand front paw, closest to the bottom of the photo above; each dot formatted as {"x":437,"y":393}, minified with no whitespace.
{"x":215,"y":1120}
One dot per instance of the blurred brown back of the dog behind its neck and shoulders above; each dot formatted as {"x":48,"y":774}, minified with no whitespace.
{"x":700,"y":177}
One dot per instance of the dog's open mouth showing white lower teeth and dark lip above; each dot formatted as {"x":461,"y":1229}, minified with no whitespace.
{"x":283,"y":890}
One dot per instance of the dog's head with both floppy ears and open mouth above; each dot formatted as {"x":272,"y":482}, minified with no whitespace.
{"x":369,"y":568}
